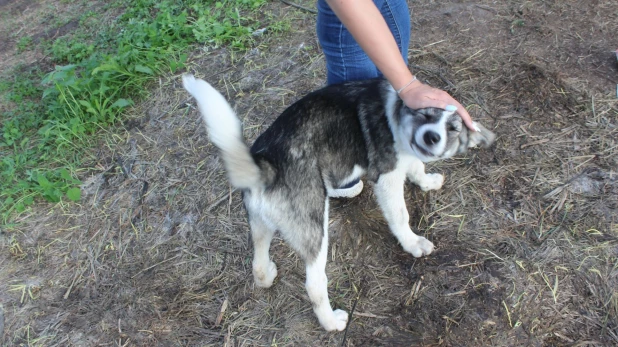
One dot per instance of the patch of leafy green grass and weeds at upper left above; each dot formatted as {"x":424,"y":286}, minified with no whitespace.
{"x":99,"y":73}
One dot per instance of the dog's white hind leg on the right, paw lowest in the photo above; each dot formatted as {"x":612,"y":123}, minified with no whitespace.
{"x":317,"y":285}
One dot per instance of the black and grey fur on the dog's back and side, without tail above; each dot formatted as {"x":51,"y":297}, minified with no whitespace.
{"x":325,"y":135}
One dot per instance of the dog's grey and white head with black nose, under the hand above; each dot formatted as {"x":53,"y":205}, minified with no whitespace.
{"x":435,"y":134}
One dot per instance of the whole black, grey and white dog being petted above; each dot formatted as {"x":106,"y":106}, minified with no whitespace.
{"x":319,"y":148}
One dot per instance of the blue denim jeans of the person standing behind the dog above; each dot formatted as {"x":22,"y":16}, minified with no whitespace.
{"x":345,"y":59}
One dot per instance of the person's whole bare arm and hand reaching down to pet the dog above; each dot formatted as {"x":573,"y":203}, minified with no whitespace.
{"x":365,"y":22}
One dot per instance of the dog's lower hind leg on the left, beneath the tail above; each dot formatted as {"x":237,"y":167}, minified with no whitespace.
{"x":264,"y":269}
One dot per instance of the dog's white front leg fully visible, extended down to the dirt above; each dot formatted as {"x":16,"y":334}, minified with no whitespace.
{"x":389,"y":192}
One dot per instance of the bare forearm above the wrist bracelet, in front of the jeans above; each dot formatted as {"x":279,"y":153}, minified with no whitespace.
{"x":365,"y":22}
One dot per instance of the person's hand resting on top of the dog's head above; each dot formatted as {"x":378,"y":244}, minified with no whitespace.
{"x":418,"y":95}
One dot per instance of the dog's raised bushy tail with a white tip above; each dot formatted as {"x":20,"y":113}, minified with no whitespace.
{"x":225,"y":132}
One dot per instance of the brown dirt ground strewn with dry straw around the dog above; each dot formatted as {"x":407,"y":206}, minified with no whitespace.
{"x":158,"y":252}
